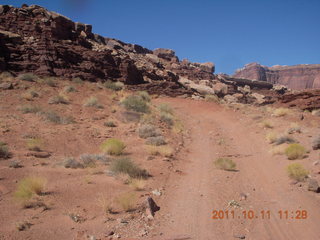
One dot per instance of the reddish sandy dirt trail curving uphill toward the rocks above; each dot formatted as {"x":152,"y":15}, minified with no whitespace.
{"x":186,"y":208}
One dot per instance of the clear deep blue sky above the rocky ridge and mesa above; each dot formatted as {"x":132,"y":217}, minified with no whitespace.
{"x":229,"y":33}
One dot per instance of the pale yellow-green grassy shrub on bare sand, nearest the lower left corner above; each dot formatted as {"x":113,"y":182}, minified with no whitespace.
{"x":28,"y":187}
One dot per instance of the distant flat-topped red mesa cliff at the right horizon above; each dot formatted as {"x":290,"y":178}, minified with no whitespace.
{"x":297,"y":77}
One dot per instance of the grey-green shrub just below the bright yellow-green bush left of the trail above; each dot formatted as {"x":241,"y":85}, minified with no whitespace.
{"x":127,"y":166}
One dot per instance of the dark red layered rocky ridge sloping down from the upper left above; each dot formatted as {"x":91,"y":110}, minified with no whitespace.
{"x":33,"y":39}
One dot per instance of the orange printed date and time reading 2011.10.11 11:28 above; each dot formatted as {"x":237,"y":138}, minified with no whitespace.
{"x":263,"y":214}
